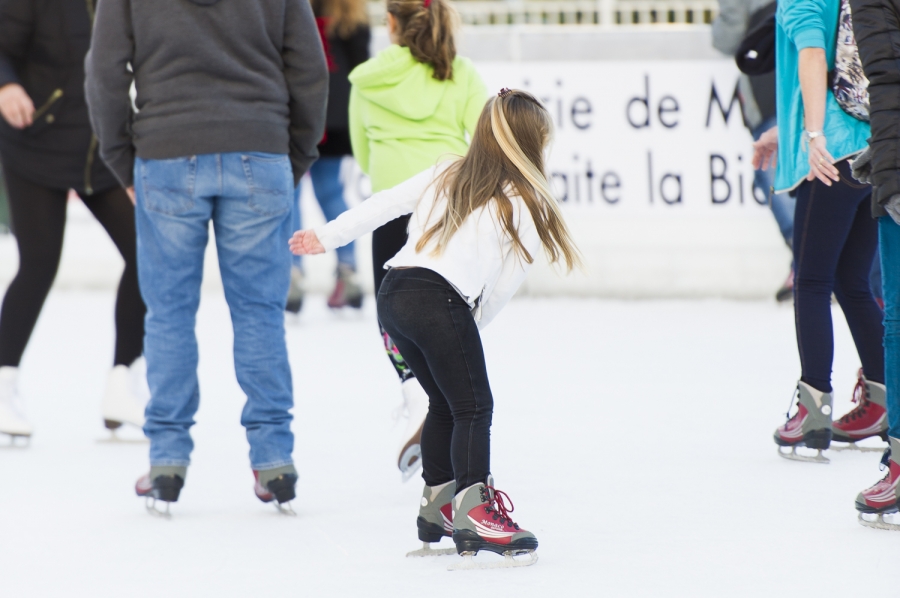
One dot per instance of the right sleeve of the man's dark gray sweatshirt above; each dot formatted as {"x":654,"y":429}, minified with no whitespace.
{"x":307,"y":80}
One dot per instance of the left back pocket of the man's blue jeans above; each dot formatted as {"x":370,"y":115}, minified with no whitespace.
{"x":169,"y":184}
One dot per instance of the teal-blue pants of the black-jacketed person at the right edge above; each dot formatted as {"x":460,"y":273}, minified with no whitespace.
{"x":889,"y":239}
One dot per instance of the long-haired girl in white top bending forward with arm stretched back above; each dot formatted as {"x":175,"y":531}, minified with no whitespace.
{"x":474,"y":229}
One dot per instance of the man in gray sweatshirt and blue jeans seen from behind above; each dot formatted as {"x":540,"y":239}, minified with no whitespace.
{"x":229,"y":109}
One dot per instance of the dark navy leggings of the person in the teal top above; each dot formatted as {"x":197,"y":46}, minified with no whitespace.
{"x":835,"y":239}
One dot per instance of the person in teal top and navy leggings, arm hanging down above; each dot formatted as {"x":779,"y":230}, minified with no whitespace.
{"x":835,"y":237}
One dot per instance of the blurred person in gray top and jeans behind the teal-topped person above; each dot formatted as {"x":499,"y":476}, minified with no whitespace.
{"x":757,"y":94}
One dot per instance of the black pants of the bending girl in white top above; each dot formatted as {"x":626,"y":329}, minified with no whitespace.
{"x":434,"y":329}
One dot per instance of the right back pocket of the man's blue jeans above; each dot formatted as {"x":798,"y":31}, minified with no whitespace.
{"x":270,"y":181}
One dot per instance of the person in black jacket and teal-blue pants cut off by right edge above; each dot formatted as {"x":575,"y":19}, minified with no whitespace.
{"x":876,"y":24}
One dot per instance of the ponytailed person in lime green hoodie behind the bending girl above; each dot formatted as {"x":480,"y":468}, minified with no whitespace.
{"x":412,"y":105}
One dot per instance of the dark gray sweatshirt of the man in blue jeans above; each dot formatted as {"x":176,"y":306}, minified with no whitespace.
{"x":212,"y":76}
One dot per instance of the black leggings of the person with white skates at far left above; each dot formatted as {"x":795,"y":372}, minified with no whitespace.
{"x":38,"y":216}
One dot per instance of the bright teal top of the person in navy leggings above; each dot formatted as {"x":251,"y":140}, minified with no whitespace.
{"x":808,"y":24}
